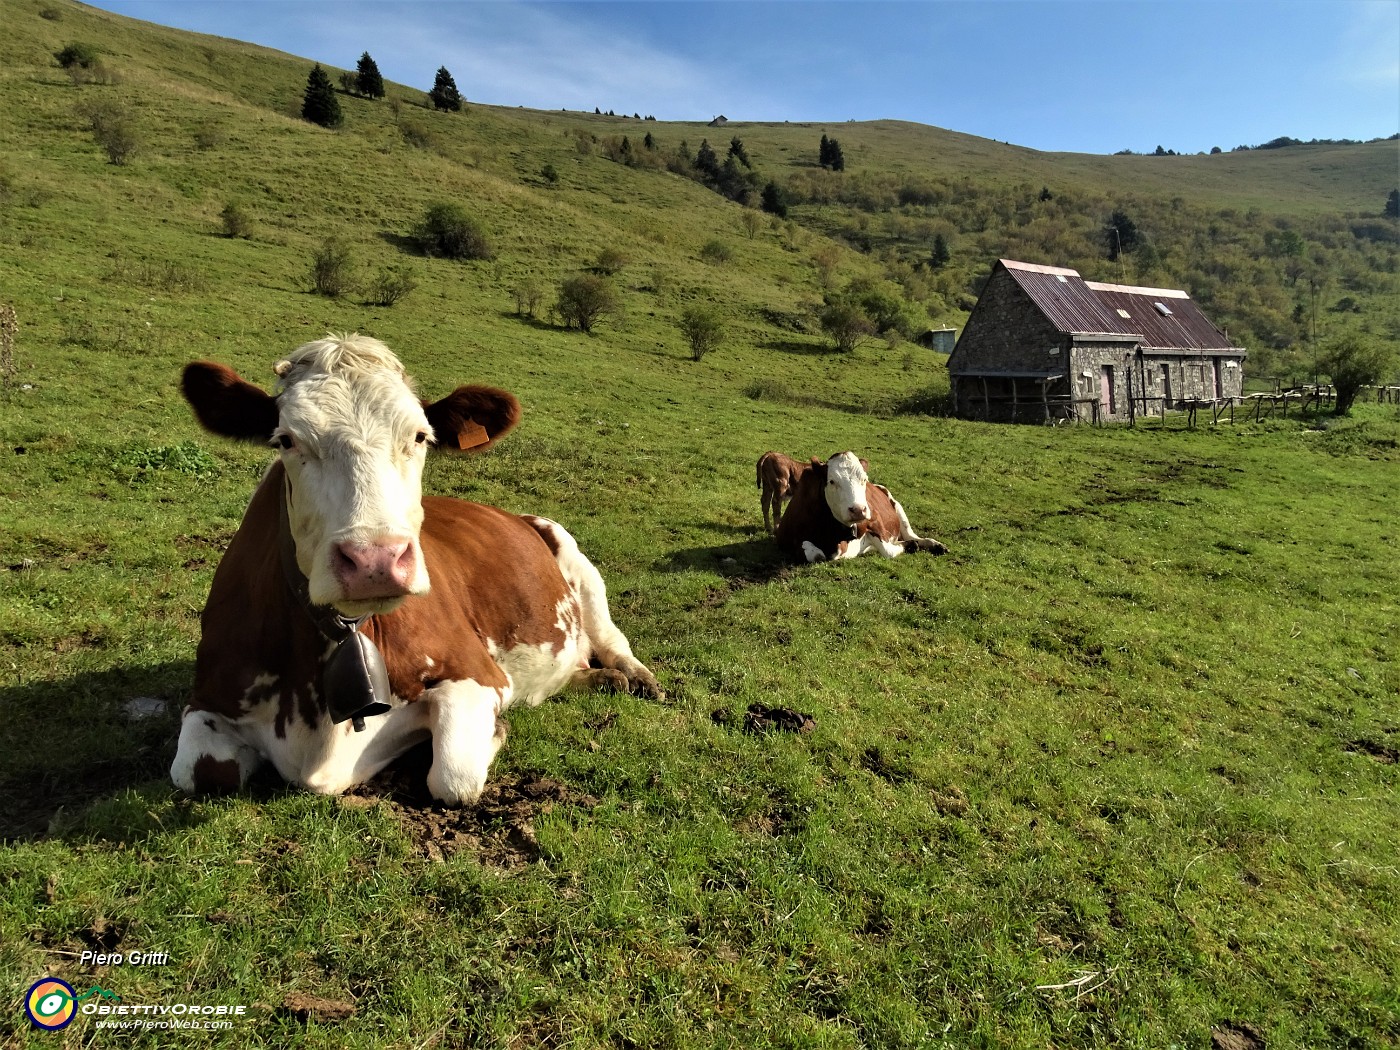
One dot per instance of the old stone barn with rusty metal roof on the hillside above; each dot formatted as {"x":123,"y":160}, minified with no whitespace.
{"x":1044,"y":344}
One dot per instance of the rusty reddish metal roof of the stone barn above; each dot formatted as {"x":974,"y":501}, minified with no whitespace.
{"x":1158,"y":318}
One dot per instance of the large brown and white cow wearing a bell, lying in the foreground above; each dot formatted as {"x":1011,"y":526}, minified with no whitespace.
{"x":472,"y":610}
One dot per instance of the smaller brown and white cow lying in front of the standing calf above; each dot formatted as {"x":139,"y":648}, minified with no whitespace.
{"x":838,"y":513}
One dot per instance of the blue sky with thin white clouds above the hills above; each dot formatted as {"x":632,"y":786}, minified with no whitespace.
{"x":1084,"y":76}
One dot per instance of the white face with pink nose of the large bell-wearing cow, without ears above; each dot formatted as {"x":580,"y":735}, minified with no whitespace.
{"x":353,"y":437}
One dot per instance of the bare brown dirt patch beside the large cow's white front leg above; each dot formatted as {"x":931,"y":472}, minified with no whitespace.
{"x":499,"y":829}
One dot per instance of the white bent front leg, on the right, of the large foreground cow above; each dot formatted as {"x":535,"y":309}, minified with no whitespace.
{"x":465,"y":738}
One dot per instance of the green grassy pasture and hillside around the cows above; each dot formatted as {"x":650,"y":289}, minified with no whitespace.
{"x":1119,"y":771}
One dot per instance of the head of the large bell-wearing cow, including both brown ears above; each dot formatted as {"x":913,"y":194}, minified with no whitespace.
{"x":352,"y":436}
